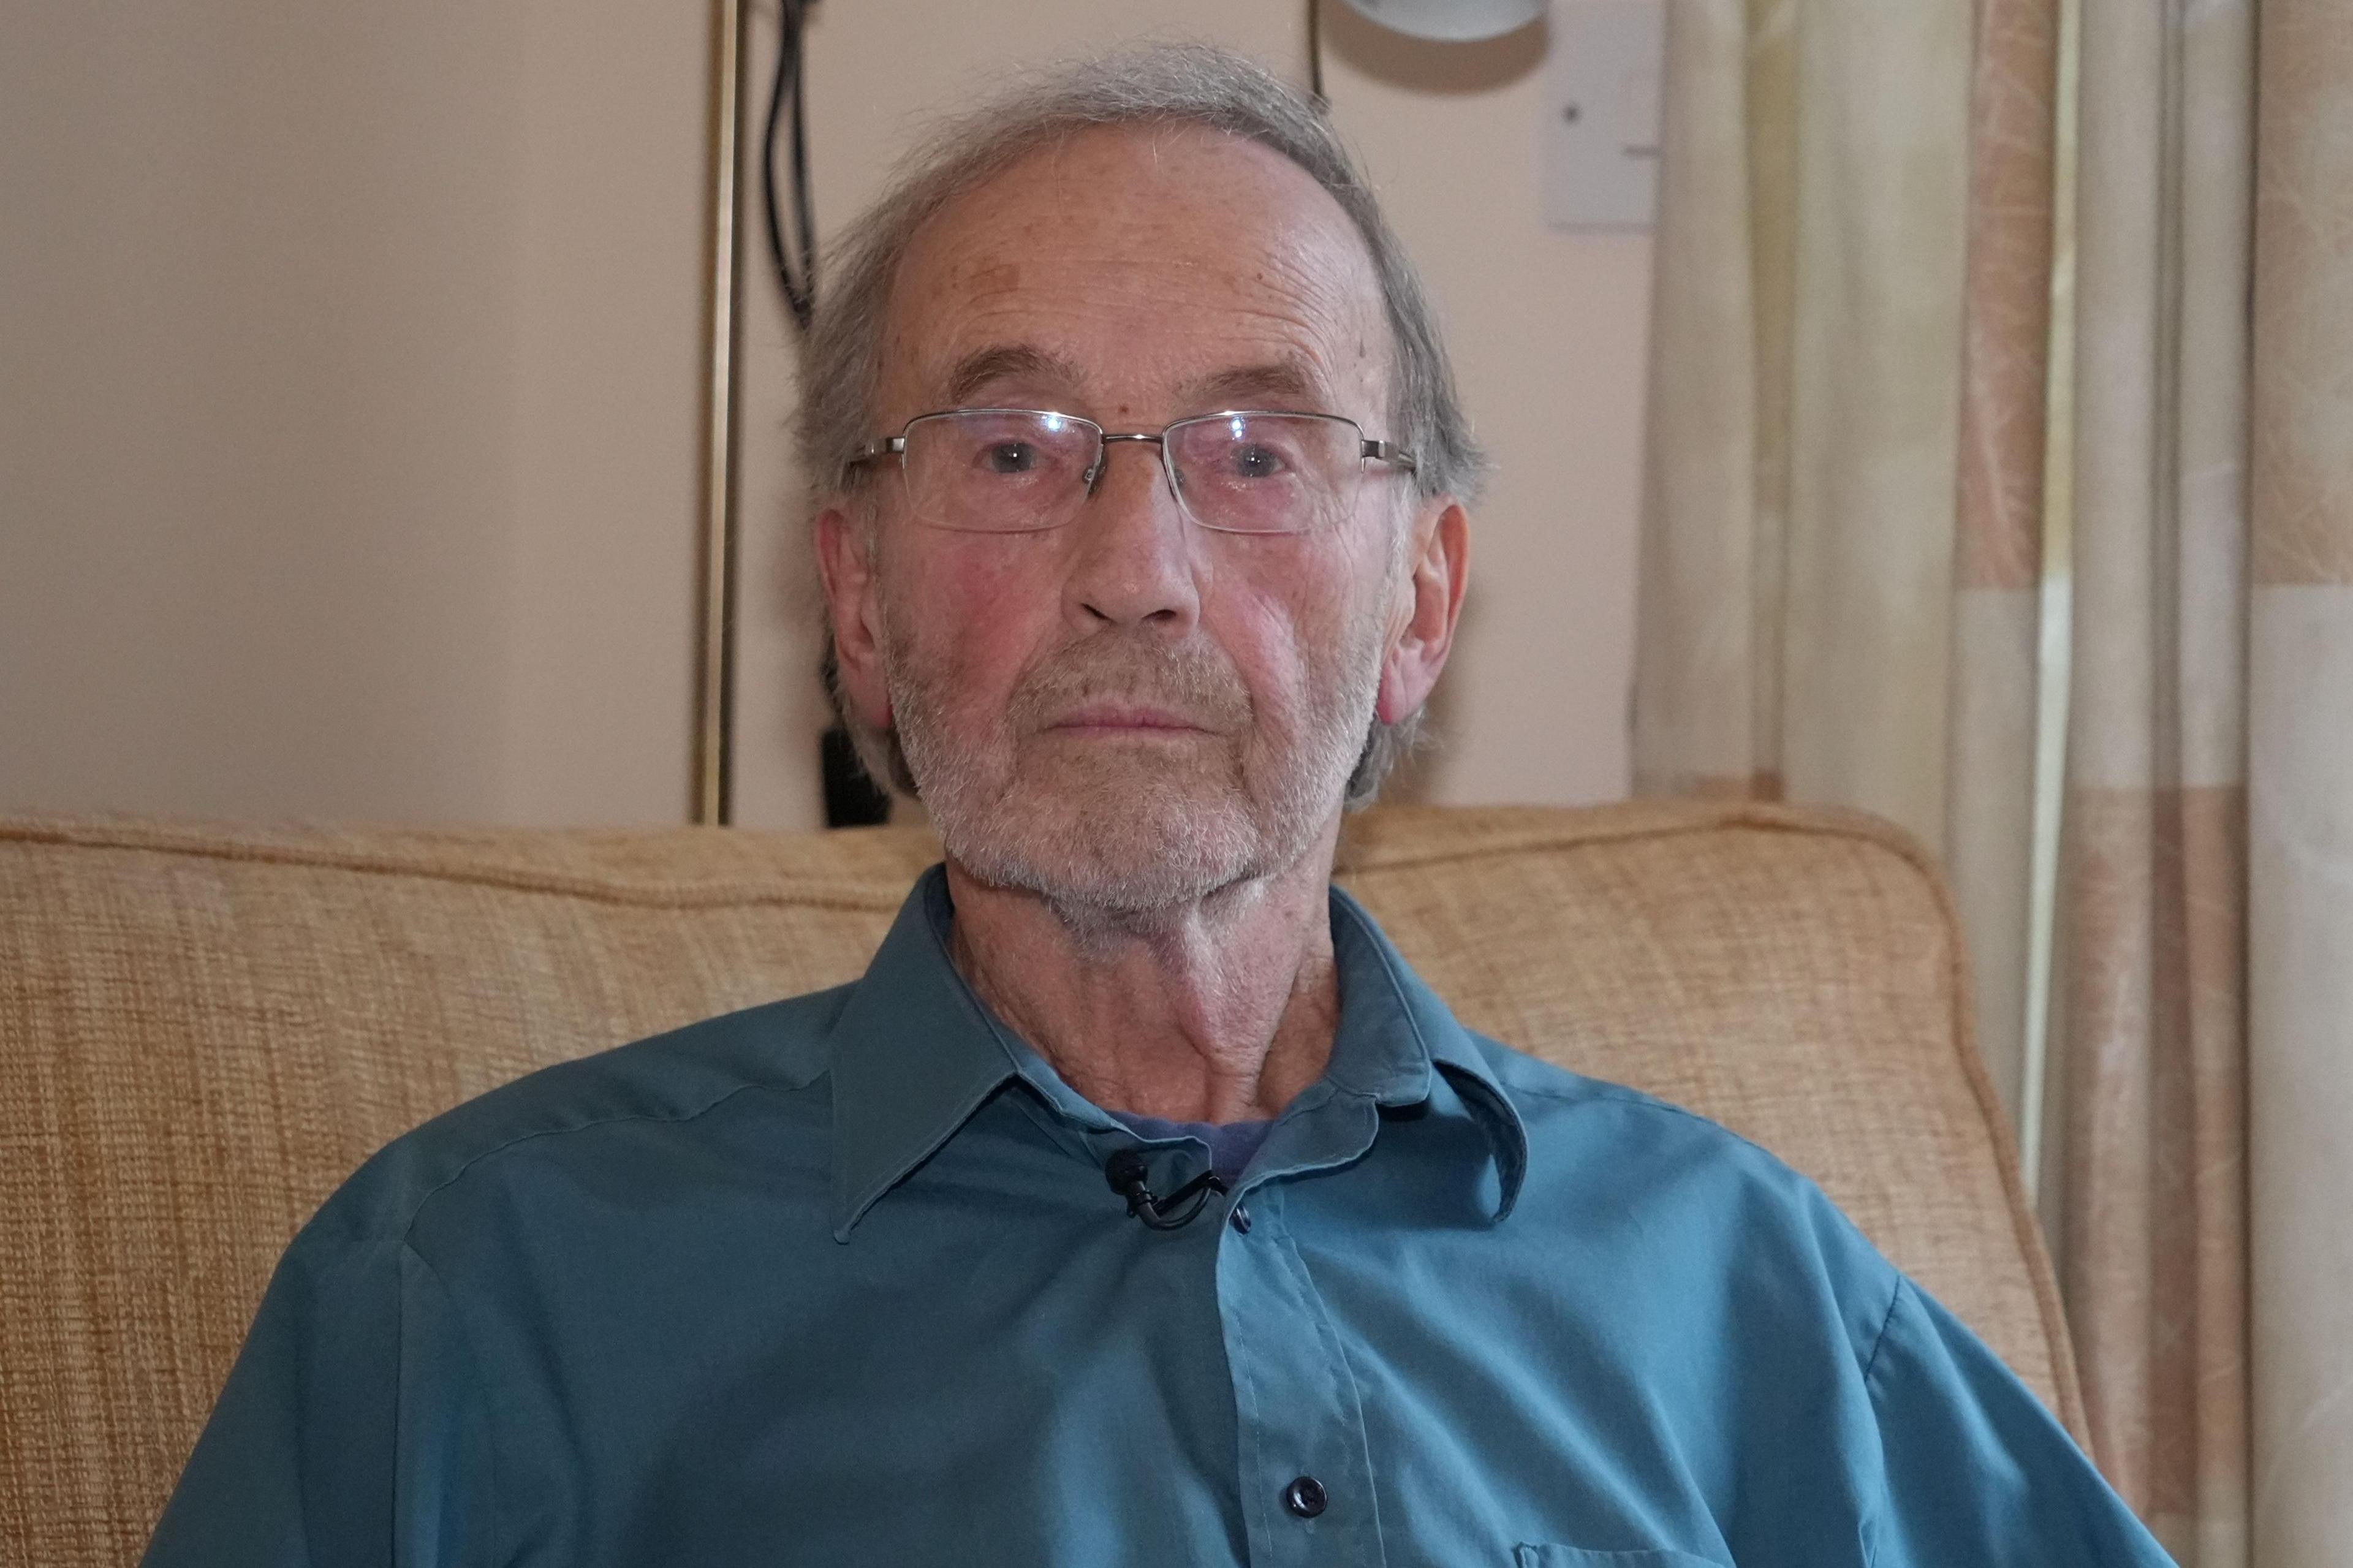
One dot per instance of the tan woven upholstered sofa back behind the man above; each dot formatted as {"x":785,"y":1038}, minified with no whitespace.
{"x":206,"y":1030}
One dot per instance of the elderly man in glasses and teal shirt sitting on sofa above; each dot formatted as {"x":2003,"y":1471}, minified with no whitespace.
{"x":1138,"y":1204}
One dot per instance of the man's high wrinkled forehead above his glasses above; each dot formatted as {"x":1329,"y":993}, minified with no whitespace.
{"x":1140,"y":274}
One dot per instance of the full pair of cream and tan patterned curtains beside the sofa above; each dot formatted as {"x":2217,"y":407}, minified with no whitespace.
{"x":1869,"y":531}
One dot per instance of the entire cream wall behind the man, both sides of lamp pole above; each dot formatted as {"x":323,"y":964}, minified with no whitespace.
{"x":352,"y":366}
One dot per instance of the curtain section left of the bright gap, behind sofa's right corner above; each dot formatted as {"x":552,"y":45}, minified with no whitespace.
{"x":1844,"y":474}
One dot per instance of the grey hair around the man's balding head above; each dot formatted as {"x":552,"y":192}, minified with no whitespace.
{"x":1156,"y":86}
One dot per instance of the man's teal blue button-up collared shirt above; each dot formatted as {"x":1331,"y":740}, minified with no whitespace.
{"x":841,"y":1282}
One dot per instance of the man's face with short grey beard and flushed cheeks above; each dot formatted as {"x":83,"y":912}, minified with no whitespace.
{"x":1131,"y":712}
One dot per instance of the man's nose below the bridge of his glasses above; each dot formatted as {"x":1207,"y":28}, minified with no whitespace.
{"x":1133,"y":550}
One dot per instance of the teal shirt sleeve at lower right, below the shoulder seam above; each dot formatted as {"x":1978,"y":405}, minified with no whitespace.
{"x":1975,"y":1470}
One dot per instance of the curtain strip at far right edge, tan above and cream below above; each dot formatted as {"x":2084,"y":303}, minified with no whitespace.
{"x":2300,"y":783}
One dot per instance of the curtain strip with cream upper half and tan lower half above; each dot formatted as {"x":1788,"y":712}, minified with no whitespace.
{"x":2147,"y":1190}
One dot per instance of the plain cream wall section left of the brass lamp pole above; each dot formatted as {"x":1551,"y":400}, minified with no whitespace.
{"x":349,"y":406}
